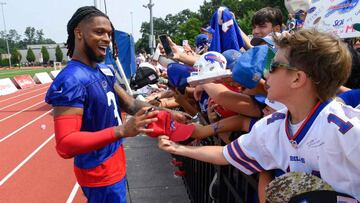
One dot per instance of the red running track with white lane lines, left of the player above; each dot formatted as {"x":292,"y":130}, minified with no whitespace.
{"x":30,"y":169}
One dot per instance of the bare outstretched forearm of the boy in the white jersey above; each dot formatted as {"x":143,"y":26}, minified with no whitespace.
{"x":210,"y":154}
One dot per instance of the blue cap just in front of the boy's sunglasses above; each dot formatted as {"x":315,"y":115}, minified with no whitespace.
{"x":249,"y":67}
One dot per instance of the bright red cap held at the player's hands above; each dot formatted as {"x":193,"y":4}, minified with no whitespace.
{"x":166,"y":125}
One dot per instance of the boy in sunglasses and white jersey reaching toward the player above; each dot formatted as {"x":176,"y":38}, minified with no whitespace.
{"x":315,"y":134}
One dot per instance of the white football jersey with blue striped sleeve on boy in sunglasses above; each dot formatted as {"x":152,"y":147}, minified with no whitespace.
{"x":326,"y":144}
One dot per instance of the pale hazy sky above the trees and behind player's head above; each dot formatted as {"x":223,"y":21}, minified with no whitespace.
{"x":52,"y":15}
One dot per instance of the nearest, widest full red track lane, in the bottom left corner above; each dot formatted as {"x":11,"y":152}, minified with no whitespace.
{"x":45,"y":178}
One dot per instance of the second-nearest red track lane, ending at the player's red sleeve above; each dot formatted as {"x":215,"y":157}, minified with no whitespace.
{"x":17,"y":147}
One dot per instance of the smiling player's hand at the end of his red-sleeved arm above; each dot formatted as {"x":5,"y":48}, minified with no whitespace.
{"x":138,"y":123}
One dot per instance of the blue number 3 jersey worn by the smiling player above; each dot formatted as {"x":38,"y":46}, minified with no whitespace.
{"x":91,"y":89}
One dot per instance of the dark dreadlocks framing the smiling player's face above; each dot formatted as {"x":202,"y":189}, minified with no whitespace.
{"x":84,"y":13}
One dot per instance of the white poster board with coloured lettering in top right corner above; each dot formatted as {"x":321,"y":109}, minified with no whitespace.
{"x":334,"y":16}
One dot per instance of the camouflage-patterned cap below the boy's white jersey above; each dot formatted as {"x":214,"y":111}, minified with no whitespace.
{"x":284,"y":187}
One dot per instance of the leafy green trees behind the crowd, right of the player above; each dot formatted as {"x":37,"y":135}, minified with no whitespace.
{"x":186,"y":24}
